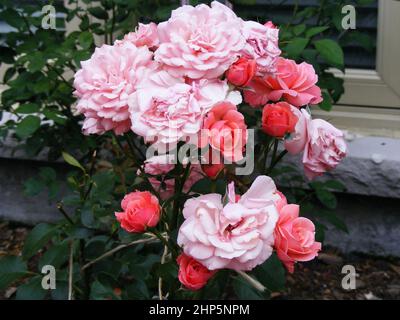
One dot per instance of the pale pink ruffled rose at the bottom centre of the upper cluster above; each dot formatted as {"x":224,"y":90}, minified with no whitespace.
{"x":168,"y":110}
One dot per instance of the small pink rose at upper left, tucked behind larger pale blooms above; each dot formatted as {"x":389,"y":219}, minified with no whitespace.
{"x":145,"y":35}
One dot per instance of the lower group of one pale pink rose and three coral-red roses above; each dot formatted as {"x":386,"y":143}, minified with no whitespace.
{"x":237,"y":232}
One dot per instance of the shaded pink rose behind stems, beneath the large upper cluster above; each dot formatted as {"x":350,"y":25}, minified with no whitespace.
{"x":159,"y":166}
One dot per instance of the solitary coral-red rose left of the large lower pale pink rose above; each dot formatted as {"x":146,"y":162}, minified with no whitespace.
{"x":141,"y":210}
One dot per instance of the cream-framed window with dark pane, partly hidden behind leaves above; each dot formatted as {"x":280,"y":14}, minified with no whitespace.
{"x":371,"y":102}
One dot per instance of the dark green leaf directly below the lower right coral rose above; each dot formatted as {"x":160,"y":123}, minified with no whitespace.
{"x":271,"y":274}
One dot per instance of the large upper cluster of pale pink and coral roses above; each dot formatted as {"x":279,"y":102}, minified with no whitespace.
{"x":182,"y":78}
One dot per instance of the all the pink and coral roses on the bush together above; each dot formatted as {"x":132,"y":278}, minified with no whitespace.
{"x":184,"y":79}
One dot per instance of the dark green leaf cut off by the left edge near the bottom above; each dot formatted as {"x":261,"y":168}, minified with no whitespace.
{"x":11,"y":268}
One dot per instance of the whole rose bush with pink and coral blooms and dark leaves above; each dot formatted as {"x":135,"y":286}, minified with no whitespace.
{"x":184,"y":224}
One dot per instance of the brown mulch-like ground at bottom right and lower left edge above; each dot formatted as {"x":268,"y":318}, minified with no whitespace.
{"x":377,"y":277}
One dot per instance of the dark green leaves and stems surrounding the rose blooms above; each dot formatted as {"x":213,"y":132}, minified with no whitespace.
{"x":40,"y":95}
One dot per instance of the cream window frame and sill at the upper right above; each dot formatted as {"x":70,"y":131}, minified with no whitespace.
{"x":371,"y":102}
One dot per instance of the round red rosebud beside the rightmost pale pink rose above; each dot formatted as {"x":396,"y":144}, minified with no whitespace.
{"x":278,"y":119}
